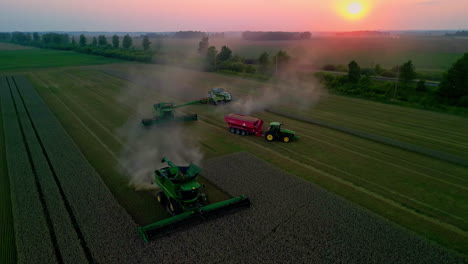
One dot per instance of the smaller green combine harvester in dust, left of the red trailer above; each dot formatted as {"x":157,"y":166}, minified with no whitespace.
{"x":167,"y":114}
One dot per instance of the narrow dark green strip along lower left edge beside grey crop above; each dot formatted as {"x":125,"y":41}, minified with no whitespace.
{"x":7,"y":232}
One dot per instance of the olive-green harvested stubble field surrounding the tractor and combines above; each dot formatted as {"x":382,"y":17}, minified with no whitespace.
{"x":424,"y":194}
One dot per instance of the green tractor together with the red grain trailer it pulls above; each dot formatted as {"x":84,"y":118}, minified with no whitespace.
{"x":247,"y":125}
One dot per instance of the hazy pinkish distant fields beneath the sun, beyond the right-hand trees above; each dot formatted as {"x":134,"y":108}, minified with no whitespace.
{"x":426,"y":53}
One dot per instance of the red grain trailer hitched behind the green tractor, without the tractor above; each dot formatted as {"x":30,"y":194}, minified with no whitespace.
{"x":244,"y":125}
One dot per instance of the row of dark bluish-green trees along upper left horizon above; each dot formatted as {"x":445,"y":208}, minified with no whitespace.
{"x":118,"y":48}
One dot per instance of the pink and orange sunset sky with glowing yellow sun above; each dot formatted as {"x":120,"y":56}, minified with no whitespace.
{"x":238,"y":15}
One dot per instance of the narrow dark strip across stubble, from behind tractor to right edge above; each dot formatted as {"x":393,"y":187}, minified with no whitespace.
{"x":388,"y":141}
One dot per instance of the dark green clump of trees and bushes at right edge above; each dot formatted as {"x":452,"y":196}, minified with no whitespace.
{"x":452,"y":90}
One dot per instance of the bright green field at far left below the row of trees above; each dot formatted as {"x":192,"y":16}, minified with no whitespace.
{"x":22,"y":59}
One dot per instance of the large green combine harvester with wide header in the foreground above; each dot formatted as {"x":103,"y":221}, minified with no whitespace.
{"x":184,"y":199}
